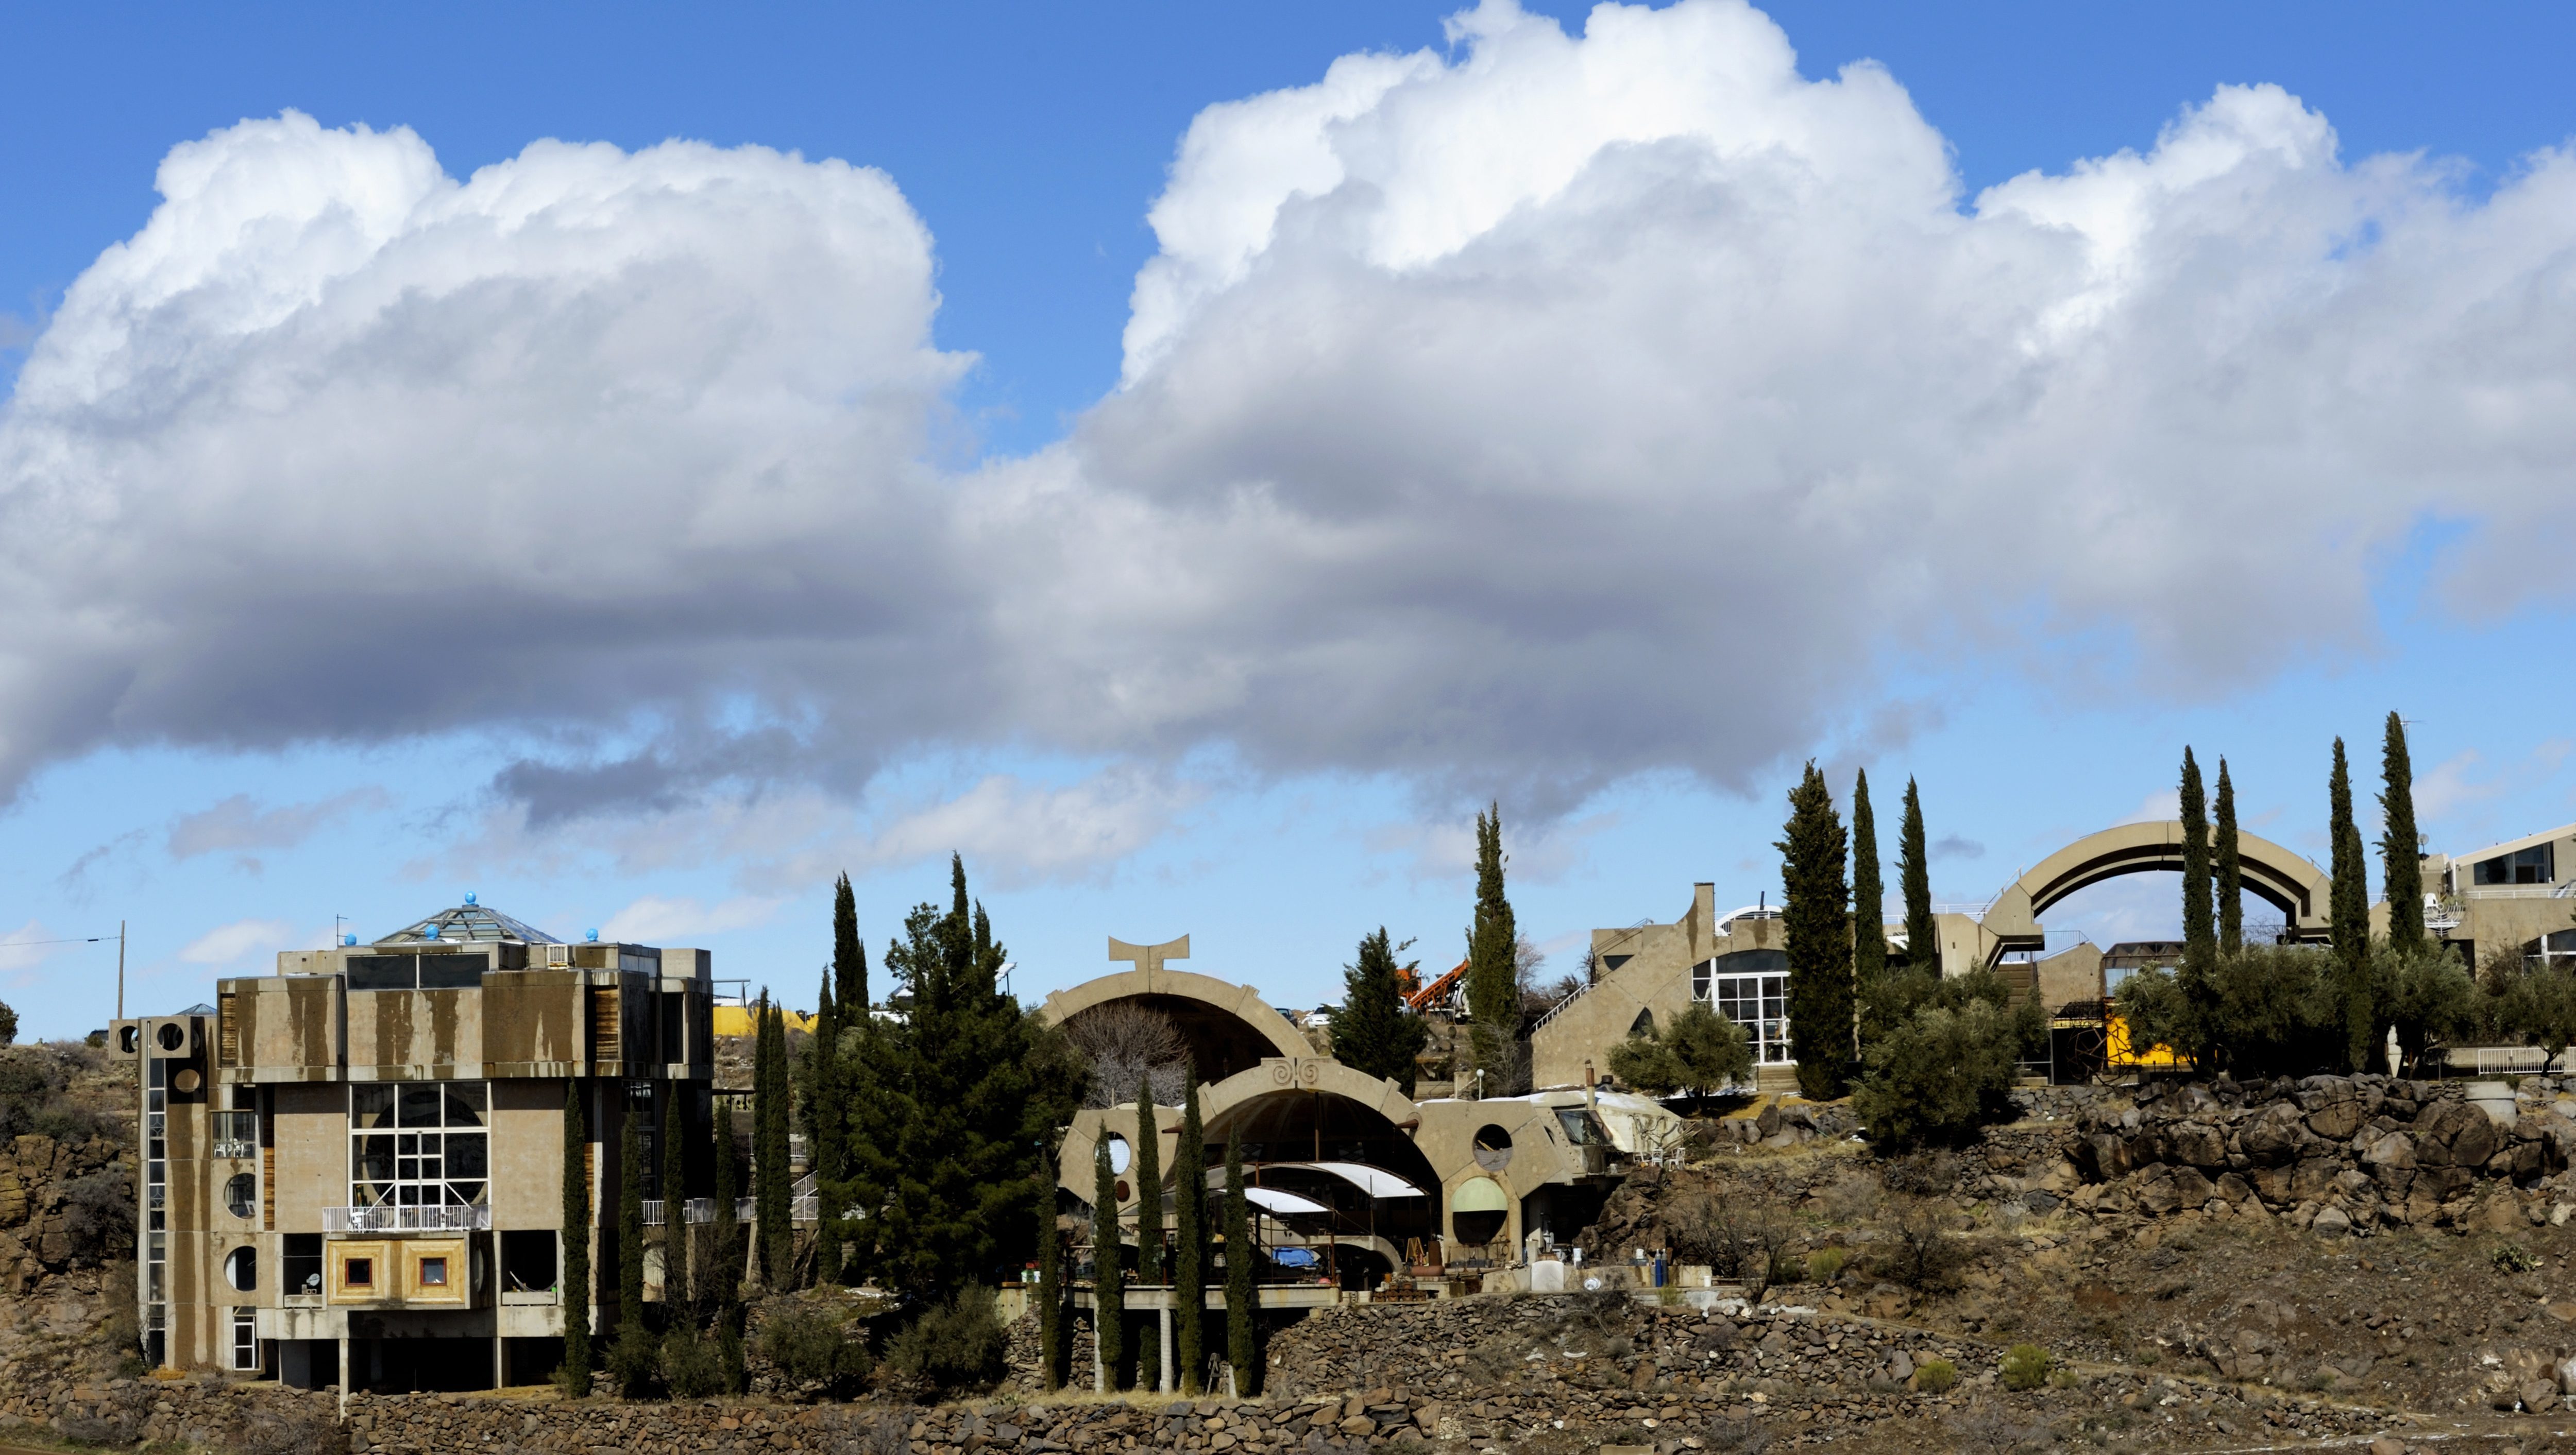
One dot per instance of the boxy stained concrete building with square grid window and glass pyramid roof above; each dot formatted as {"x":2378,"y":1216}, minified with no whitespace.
{"x":357,"y":1163}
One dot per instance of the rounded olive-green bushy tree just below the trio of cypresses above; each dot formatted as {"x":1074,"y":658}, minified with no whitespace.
{"x":1951,"y":1062}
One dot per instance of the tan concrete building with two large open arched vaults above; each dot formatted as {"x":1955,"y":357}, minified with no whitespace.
{"x":1346,"y":1165}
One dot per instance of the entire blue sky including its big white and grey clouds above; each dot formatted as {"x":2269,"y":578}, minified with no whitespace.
{"x":1140,"y":704}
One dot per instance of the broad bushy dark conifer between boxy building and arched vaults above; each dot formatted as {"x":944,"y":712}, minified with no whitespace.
{"x":949,"y":1109}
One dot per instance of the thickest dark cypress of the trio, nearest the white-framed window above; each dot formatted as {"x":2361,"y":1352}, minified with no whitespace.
{"x":1817,"y":934}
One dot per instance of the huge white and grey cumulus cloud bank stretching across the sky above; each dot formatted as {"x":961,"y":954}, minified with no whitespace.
{"x":1519,"y":416}
